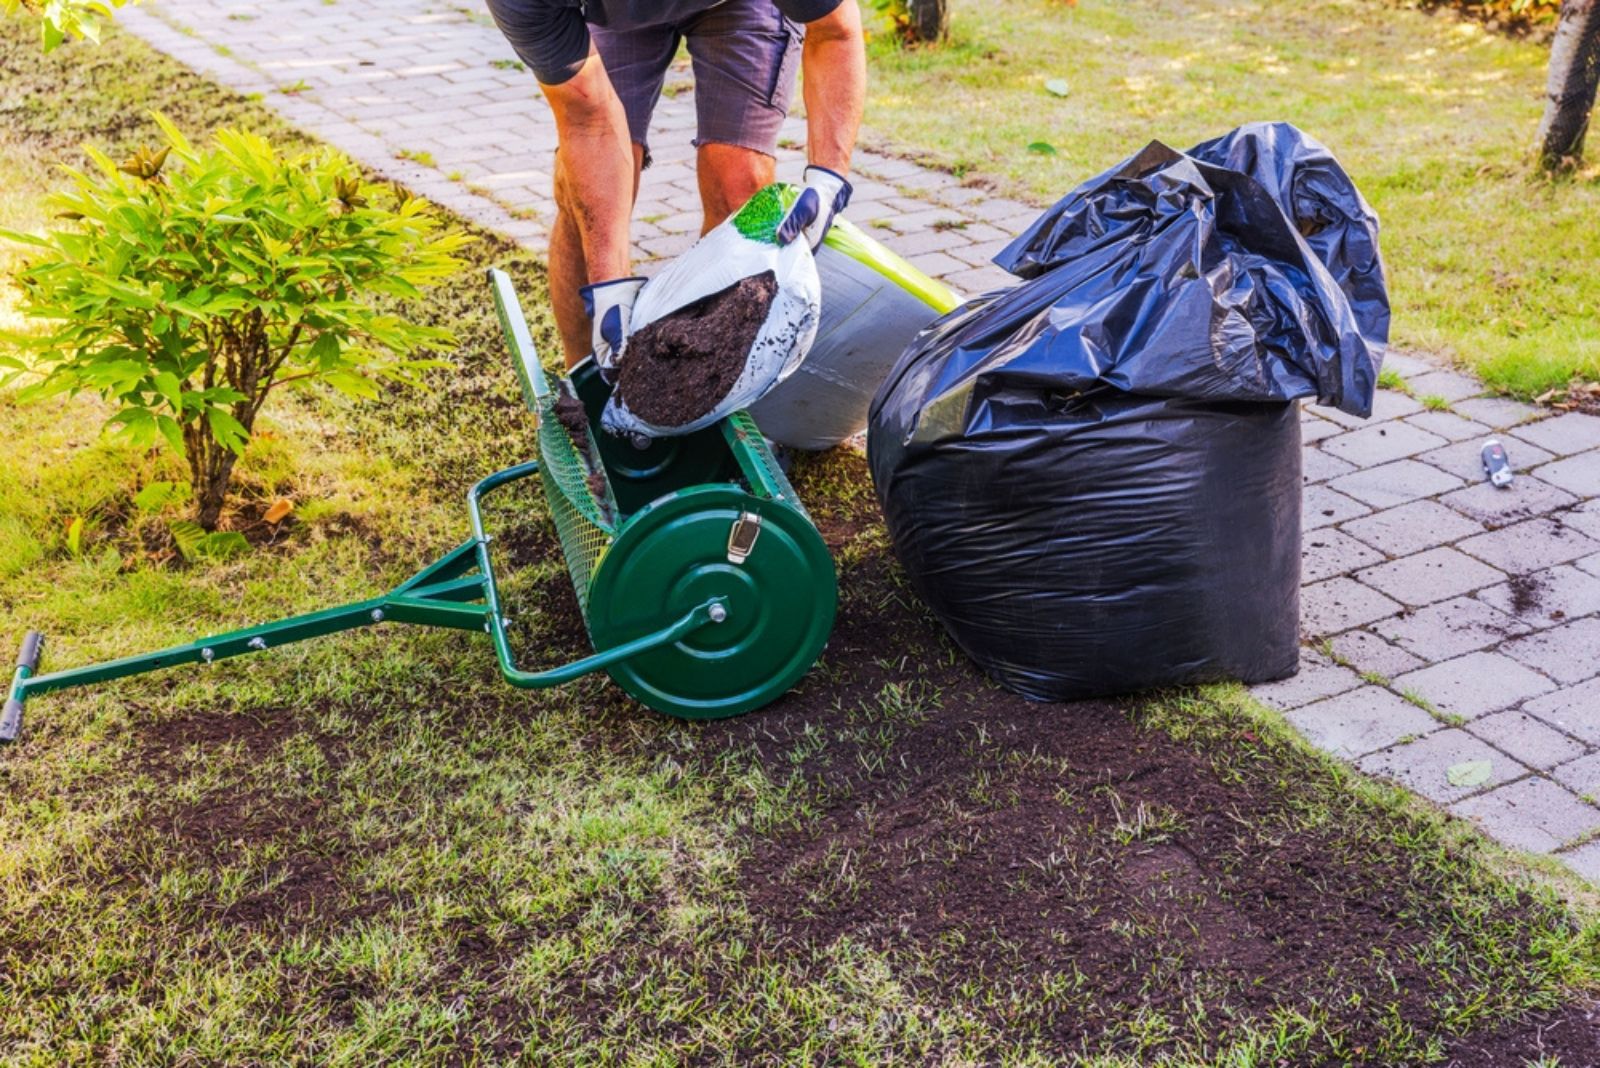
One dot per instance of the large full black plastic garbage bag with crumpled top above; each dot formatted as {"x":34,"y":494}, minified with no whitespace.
{"x":1094,"y":477}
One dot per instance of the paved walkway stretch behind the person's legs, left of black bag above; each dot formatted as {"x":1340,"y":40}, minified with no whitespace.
{"x":385,"y":79}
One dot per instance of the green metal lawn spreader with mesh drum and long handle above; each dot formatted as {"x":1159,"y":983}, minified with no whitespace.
{"x":705,"y":586}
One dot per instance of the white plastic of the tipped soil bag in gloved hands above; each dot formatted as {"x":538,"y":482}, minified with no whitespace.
{"x":743,"y":247}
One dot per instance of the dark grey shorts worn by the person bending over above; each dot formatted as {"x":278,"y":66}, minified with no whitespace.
{"x":745,"y":55}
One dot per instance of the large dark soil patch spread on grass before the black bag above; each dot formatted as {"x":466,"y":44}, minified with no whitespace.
{"x":1065,"y":859}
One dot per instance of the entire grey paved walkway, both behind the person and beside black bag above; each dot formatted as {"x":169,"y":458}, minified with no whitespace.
{"x":1454,"y":629}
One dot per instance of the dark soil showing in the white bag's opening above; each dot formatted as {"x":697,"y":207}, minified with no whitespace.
{"x":681,"y":367}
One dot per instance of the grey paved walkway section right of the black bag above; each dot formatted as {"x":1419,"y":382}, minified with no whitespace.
{"x":1454,"y":629}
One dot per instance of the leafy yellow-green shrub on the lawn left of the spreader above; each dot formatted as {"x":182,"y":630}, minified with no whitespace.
{"x":191,"y":285}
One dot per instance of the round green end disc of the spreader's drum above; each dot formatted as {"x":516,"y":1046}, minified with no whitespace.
{"x":674,"y":556}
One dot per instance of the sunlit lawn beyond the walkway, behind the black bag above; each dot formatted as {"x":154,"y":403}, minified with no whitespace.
{"x":1433,"y":118}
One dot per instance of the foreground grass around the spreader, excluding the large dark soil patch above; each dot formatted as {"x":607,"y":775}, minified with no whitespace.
{"x":553,"y":874}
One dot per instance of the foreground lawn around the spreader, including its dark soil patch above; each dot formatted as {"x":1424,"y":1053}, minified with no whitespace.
{"x":367,"y":850}
